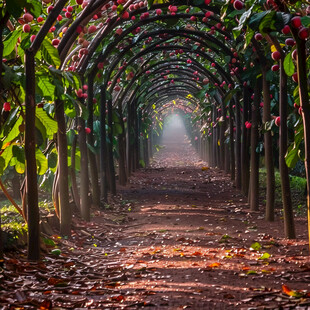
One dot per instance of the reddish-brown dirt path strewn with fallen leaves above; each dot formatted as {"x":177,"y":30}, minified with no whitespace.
{"x":178,"y":236}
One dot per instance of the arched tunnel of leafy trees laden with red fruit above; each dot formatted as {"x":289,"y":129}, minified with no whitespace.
{"x":87,"y":82}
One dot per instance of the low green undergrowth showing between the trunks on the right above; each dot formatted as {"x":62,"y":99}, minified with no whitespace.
{"x":298,"y":191}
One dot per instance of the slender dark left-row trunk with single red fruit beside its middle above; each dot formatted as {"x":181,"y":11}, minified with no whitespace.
{"x":90,"y":139}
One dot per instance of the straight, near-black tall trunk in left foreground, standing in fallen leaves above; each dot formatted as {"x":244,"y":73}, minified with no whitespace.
{"x":31,"y":165}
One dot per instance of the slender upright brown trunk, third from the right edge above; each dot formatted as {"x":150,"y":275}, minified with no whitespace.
{"x":270,"y":195}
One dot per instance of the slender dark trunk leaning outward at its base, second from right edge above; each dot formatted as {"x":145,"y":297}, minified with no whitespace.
{"x":289,"y":226}
